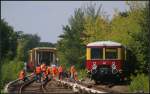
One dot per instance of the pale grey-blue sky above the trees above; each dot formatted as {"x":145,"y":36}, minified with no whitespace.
{"x":46,"y":18}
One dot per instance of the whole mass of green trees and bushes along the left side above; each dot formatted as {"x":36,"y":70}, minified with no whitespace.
{"x":14,"y":48}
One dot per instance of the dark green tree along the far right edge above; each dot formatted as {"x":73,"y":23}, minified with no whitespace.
{"x":144,"y":40}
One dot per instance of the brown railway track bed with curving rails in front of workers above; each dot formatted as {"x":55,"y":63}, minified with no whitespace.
{"x":52,"y":87}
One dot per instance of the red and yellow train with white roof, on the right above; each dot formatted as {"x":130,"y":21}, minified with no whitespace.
{"x":105,"y":60}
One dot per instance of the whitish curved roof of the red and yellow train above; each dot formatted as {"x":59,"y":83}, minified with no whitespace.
{"x":104,"y":43}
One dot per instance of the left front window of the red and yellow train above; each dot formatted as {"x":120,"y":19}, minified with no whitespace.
{"x":96,"y":53}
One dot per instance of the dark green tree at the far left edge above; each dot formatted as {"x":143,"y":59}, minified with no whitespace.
{"x":8,"y":41}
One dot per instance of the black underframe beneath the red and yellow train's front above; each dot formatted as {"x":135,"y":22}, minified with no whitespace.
{"x":100,"y":75}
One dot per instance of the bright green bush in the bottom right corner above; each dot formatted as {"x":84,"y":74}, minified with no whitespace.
{"x":139,"y":83}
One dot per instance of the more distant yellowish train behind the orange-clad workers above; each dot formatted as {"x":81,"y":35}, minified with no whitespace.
{"x":41,"y":55}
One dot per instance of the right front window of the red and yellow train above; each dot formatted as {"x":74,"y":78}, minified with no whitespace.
{"x":111,"y":53}
